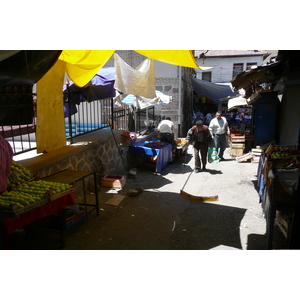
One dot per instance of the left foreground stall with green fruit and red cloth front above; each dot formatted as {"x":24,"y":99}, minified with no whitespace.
{"x":29,"y":198}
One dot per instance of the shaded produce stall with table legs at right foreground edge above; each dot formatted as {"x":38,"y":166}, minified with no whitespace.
{"x":278,"y":177}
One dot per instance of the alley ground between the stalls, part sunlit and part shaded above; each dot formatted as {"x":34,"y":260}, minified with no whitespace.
{"x":160,"y":218}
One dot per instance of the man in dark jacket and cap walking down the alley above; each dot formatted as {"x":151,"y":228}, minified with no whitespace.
{"x":200,"y":137}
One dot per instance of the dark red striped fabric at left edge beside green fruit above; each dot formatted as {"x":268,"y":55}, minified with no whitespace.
{"x":6,"y":155}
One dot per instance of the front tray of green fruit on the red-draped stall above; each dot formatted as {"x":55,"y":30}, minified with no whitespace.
{"x":31,"y":192}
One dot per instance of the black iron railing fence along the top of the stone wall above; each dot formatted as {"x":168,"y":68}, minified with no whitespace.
{"x":18,"y":120}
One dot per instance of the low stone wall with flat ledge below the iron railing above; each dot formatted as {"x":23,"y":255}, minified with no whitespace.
{"x":99,"y":152}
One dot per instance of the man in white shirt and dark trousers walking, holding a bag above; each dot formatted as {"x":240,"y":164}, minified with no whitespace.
{"x":218,"y":128}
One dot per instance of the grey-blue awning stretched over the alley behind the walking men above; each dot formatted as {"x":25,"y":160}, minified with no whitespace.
{"x":212,"y":91}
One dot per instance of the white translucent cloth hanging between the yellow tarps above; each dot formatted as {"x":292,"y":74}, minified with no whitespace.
{"x":139,"y":81}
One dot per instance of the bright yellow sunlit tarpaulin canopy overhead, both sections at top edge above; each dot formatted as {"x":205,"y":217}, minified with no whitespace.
{"x":82,"y":65}
